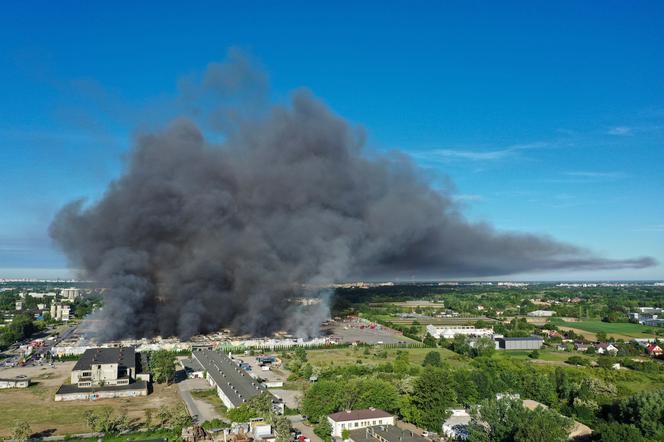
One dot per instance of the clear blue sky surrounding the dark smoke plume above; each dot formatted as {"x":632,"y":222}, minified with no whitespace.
{"x":547,"y":116}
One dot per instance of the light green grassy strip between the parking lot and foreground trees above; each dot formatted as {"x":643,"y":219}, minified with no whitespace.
{"x":343,"y":356}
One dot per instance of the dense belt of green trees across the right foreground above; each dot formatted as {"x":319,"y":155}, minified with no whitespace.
{"x":423,"y":396}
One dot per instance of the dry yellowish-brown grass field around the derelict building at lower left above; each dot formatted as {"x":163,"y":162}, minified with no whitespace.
{"x":37,"y":406}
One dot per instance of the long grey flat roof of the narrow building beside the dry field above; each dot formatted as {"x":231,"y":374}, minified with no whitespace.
{"x":233,"y":381}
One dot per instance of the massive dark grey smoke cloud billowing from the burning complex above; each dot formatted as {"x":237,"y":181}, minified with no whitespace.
{"x":199,"y":235}
